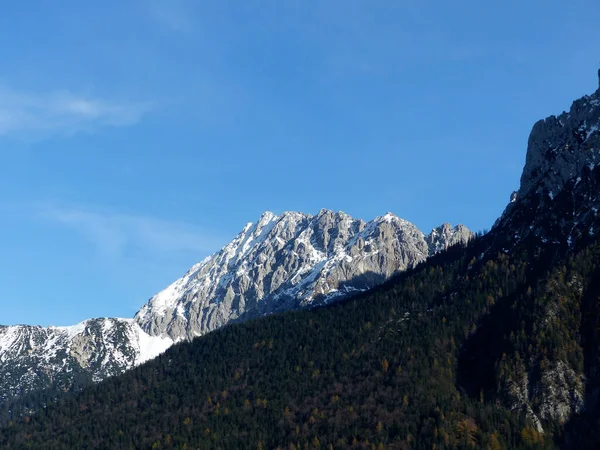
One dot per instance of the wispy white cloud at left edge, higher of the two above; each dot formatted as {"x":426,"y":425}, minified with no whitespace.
{"x":62,"y":112}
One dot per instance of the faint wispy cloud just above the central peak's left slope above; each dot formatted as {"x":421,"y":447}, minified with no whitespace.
{"x":116,"y":234}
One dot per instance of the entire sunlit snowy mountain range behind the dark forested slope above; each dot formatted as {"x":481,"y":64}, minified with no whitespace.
{"x":278,"y":263}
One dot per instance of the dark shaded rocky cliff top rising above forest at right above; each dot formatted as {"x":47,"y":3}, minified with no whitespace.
{"x":559,"y":195}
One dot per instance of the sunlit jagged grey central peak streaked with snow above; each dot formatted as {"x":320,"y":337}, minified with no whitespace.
{"x":290,"y":261}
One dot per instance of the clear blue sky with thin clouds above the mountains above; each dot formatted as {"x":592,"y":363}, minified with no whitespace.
{"x":136,"y":137}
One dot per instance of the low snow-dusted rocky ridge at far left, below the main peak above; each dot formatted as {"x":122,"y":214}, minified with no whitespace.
{"x":34,"y":358}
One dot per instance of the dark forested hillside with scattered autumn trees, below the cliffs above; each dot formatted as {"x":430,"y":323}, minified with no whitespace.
{"x":422,"y":362}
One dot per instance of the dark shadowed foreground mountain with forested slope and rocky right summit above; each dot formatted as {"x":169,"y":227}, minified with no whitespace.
{"x":493,"y":344}
